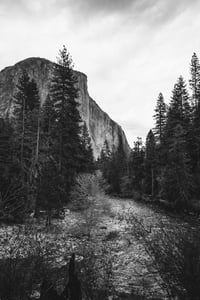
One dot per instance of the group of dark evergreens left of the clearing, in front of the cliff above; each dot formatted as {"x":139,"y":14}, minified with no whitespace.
{"x":42,"y":148}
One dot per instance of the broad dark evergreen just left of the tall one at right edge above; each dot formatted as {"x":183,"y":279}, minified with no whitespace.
{"x":176,"y":177}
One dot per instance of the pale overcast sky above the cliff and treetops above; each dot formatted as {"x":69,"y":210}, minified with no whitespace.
{"x":130,"y":49}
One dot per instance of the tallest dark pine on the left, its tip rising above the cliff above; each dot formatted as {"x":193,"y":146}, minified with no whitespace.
{"x":66,"y":127}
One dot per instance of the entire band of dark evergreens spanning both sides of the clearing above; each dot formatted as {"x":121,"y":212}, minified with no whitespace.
{"x":43,"y":148}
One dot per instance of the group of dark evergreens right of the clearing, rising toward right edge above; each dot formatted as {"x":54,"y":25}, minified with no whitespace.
{"x":167,"y":166}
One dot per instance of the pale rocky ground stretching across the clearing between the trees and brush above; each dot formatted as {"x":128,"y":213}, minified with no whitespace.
{"x":106,"y":225}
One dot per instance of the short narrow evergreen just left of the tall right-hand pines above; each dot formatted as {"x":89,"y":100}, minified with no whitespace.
{"x":150,"y":164}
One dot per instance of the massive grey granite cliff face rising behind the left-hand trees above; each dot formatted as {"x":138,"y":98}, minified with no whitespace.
{"x":100,"y":126}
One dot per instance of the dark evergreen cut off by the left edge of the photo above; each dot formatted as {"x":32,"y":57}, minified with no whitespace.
{"x":11,"y":191}
